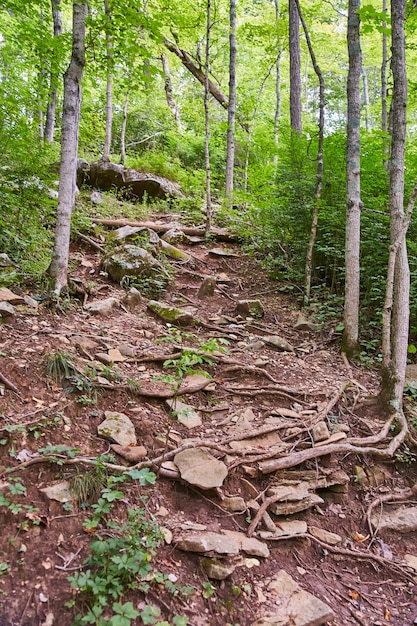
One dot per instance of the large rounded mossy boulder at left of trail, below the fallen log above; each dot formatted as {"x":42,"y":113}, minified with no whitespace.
{"x":130,"y":262}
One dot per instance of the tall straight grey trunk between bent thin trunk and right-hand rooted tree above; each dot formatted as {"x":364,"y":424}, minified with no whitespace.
{"x":353,"y":189}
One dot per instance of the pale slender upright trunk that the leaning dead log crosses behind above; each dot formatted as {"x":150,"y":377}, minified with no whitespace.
{"x":231,"y":110}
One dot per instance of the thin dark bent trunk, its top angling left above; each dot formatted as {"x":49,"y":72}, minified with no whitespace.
{"x":320,"y":163}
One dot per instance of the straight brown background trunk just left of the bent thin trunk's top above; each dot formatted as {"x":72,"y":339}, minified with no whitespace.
{"x":295,"y":68}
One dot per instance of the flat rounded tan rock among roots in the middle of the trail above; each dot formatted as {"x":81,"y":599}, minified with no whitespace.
{"x":198,"y":467}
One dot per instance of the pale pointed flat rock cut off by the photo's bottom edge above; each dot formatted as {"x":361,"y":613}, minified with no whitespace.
{"x":295,"y":605}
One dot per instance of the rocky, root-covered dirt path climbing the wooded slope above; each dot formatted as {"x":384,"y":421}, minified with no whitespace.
{"x":263,"y":404}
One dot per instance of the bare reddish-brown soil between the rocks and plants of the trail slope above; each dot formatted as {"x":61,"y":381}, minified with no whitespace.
{"x":35,"y":588}
